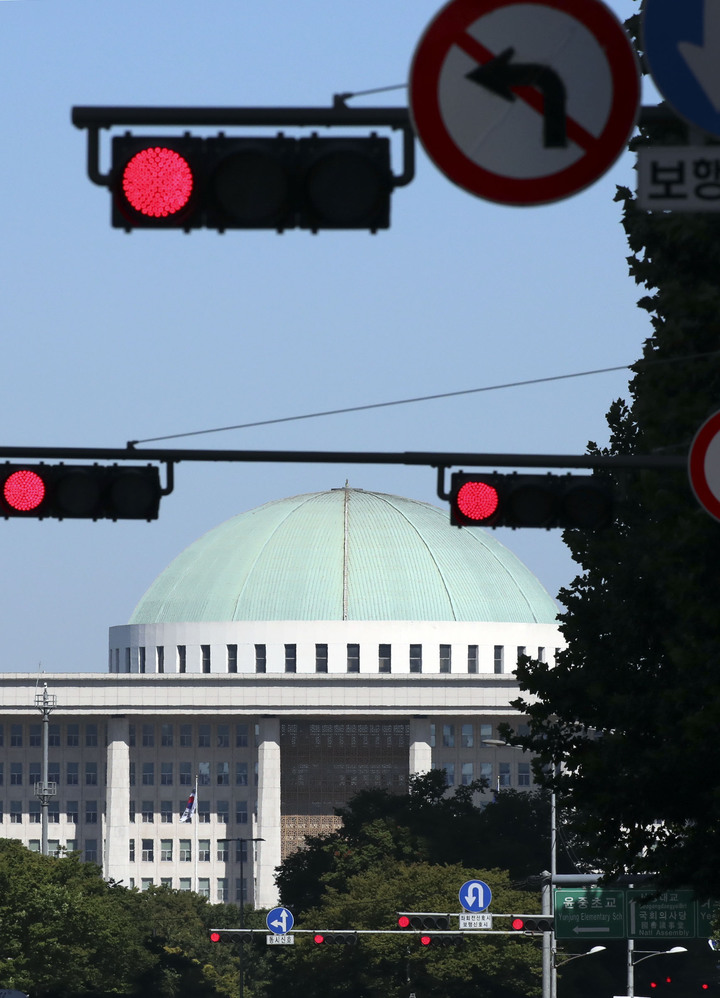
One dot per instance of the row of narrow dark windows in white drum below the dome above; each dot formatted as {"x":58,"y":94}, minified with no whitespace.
{"x":383,"y":663}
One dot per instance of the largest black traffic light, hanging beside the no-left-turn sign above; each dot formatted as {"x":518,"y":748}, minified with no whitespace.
{"x":226,"y":182}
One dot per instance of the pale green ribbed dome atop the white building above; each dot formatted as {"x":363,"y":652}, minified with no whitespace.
{"x":345,"y":555}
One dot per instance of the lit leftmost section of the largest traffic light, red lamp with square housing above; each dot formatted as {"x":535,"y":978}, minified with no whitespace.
{"x":156,"y":182}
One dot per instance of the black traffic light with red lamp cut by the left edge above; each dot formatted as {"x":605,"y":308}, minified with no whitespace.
{"x":93,"y":492}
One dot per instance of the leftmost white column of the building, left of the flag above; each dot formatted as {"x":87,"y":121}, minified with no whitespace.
{"x":116,"y":860}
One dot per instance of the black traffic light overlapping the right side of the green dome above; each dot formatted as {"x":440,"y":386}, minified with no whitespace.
{"x":515,"y":500}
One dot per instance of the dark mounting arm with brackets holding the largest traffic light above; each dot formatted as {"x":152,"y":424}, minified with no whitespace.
{"x":95,"y":118}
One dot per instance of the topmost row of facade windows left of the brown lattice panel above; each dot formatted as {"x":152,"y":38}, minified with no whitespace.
{"x":165,"y":735}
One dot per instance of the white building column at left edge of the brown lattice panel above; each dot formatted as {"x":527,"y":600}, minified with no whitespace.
{"x":269,"y":851}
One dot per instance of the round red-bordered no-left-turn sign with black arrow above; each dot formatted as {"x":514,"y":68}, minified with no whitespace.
{"x":490,"y":135}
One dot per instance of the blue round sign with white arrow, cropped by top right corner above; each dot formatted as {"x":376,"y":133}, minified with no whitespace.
{"x":682,"y":47}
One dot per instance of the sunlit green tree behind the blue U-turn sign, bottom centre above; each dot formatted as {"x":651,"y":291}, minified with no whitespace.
{"x":394,"y":964}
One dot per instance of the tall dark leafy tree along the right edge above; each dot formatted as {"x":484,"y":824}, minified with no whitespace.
{"x":631,"y":709}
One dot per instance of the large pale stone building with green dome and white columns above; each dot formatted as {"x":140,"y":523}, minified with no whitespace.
{"x":295,"y":654}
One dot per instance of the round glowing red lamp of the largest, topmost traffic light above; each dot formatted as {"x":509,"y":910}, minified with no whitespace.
{"x":157,"y":182}
